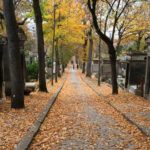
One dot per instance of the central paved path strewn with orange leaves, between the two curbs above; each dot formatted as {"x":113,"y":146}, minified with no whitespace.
{"x":81,"y":120}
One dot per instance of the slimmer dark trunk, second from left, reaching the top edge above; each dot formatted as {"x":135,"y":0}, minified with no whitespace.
{"x":40,"y":44}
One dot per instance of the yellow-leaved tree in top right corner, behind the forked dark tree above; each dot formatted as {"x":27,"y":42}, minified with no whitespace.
{"x":135,"y":25}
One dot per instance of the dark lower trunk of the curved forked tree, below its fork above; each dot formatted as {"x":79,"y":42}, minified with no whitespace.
{"x":112,"y":56}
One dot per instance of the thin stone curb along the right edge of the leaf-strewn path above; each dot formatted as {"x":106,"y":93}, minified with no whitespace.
{"x":143,"y":131}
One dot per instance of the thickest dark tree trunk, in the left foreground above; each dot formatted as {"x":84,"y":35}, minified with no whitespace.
{"x":16,"y":71}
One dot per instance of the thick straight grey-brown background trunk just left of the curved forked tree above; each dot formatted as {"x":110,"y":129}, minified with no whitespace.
{"x":89,"y":64}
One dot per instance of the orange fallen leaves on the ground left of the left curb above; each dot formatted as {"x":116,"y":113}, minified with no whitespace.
{"x":15,"y":123}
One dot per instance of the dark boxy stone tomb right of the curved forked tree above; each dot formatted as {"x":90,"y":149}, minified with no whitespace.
{"x":135,"y":71}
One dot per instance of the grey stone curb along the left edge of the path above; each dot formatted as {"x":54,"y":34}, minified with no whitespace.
{"x":29,"y":136}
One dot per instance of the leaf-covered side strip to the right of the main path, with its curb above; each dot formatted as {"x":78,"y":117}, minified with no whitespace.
{"x":135,"y":108}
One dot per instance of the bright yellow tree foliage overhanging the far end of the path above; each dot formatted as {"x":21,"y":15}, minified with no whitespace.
{"x":63,"y":28}
